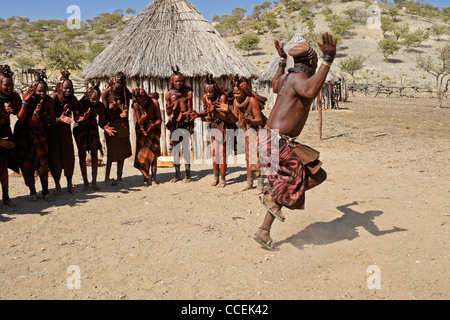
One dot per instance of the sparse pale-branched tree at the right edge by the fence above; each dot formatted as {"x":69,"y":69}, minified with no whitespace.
{"x":438,"y":65}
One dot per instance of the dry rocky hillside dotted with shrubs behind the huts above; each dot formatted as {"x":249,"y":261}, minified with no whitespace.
{"x":30,"y":43}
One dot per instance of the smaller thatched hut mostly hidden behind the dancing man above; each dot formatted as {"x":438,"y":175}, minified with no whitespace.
{"x":264,"y":83}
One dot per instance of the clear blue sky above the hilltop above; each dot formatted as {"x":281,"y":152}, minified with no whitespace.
{"x":47,"y":9}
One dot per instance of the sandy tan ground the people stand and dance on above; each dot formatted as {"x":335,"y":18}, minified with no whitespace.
{"x":385,"y":204}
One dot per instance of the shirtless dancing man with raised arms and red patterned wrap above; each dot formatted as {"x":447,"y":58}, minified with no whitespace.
{"x":299,"y":168}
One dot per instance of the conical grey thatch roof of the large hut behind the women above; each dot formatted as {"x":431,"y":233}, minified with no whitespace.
{"x":168,"y":33}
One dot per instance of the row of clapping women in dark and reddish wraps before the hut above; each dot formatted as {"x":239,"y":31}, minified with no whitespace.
{"x":42,"y":142}
